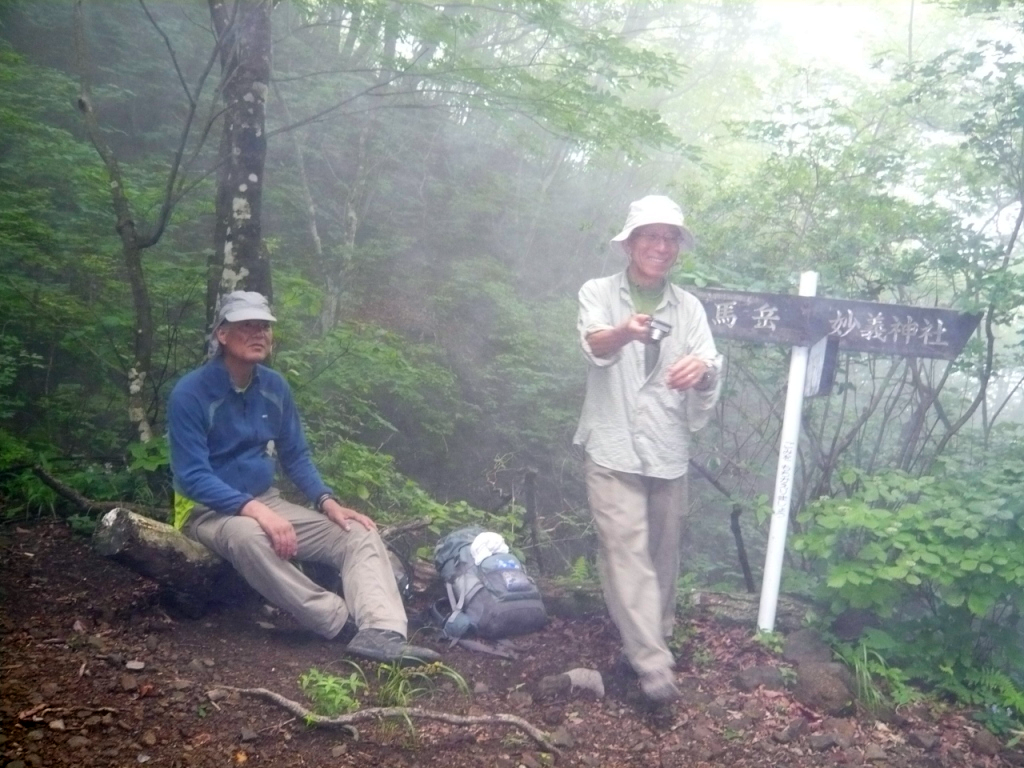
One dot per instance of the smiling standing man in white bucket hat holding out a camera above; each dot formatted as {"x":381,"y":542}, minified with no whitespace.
{"x":653,"y":379}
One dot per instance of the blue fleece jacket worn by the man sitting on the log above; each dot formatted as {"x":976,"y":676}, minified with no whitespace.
{"x":225,"y":443}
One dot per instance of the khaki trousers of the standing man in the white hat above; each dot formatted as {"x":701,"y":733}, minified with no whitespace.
{"x":639,"y":524}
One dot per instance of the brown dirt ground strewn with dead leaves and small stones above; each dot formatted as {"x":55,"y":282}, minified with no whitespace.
{"x":97,"y":673}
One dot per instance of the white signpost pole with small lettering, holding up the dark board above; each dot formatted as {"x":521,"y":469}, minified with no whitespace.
{"x":784,"y":476}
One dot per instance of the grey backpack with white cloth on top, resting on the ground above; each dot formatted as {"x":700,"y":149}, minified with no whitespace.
{"x":494,"y":600}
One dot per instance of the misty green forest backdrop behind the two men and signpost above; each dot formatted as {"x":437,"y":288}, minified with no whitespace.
{"x":424,"y":189}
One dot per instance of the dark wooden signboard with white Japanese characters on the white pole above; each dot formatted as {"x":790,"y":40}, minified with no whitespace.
{"x":860,"y":326}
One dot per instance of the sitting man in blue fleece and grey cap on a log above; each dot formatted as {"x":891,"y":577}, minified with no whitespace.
{"x":230,"y":422}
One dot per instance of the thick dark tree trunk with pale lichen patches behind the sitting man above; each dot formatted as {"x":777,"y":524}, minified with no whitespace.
{"x":240,"y":262}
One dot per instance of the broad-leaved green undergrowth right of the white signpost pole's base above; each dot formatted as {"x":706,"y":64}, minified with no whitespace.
{"x":941,"y":561}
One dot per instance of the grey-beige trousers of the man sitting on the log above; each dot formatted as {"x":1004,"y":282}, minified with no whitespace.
{"x":370,"y":593}
